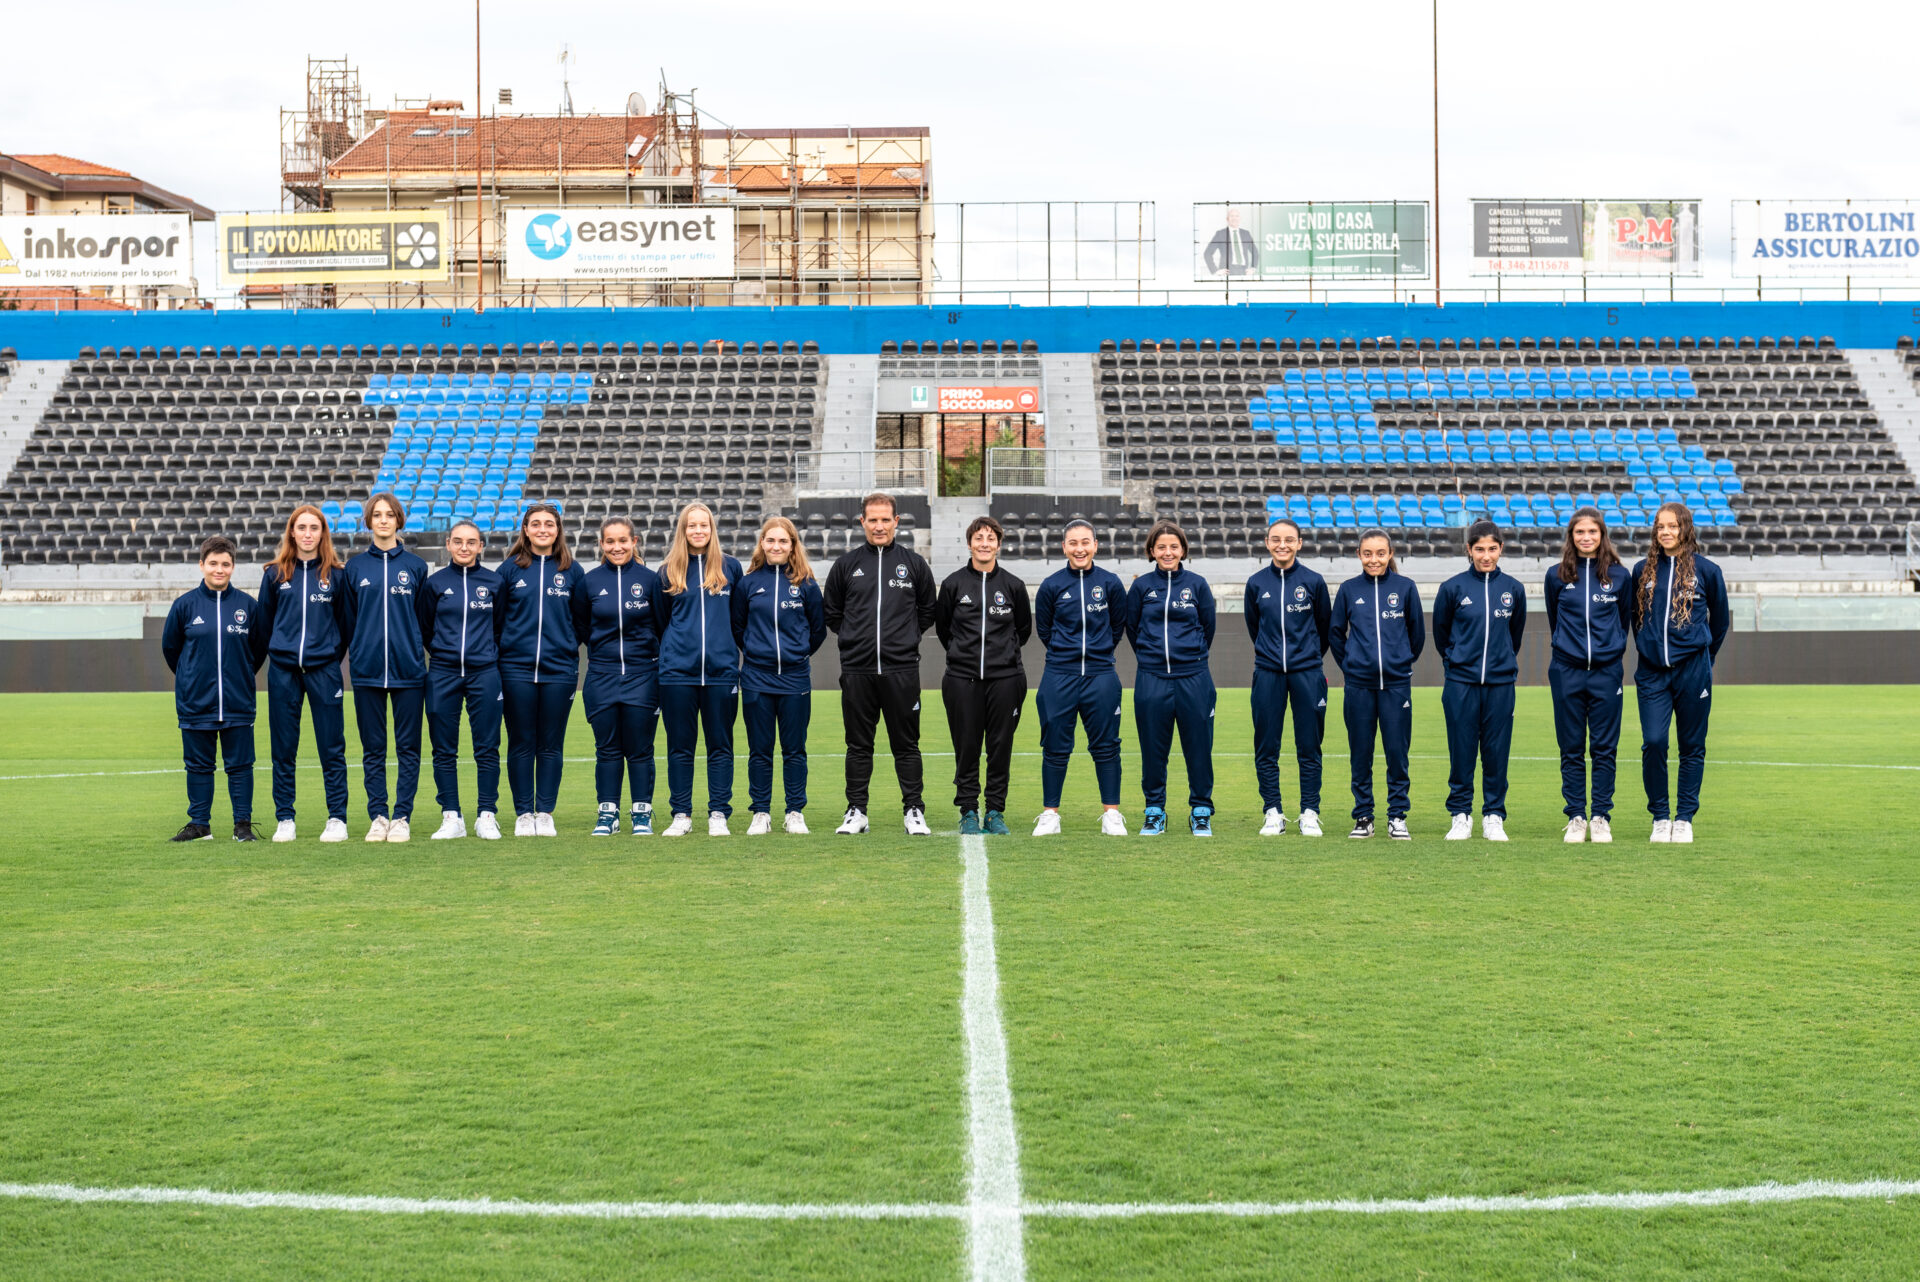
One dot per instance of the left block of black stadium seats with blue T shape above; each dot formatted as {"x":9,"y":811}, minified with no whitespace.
{"x":139,"y":442}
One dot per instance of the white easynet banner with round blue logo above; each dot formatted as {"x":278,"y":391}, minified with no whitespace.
{"x":652,"y":243}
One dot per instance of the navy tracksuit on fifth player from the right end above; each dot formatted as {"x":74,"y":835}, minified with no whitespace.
{"x":1287,"y":617}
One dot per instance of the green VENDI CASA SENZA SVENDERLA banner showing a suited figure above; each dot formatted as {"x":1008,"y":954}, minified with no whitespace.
{"x":1293,"y":241}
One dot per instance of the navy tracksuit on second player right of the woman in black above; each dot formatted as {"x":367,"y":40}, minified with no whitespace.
{"x":1170,"y":625}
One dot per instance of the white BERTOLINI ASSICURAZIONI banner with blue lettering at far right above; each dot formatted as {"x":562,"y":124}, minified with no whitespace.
{"x":1827,"y":239}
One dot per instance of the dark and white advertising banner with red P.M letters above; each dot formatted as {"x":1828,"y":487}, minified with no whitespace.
{"x":1587,"y":237}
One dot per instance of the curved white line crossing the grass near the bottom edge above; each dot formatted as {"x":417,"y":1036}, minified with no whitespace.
{"x":1752,"y":1195}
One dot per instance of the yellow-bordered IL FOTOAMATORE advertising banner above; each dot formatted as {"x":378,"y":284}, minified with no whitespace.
{"x":333,"y":249}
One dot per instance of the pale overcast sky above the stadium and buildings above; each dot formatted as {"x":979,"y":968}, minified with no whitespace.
{"x":1178,"y":105}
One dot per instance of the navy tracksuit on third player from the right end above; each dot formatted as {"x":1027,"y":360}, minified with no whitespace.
{"x":1479,"y":625}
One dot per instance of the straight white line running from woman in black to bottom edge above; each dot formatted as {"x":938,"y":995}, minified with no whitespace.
{"x":996,"y":1252}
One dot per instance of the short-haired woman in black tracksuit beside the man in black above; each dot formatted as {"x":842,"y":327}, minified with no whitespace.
{"x":984,"y":617}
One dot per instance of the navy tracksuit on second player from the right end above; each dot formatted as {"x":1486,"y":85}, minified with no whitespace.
{"x":1591,"y":621}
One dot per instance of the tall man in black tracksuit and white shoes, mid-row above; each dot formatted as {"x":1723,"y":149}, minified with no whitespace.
{"x":880,"y":602}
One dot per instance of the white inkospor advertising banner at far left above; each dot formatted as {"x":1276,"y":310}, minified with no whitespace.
{"x":89,"y":250}
